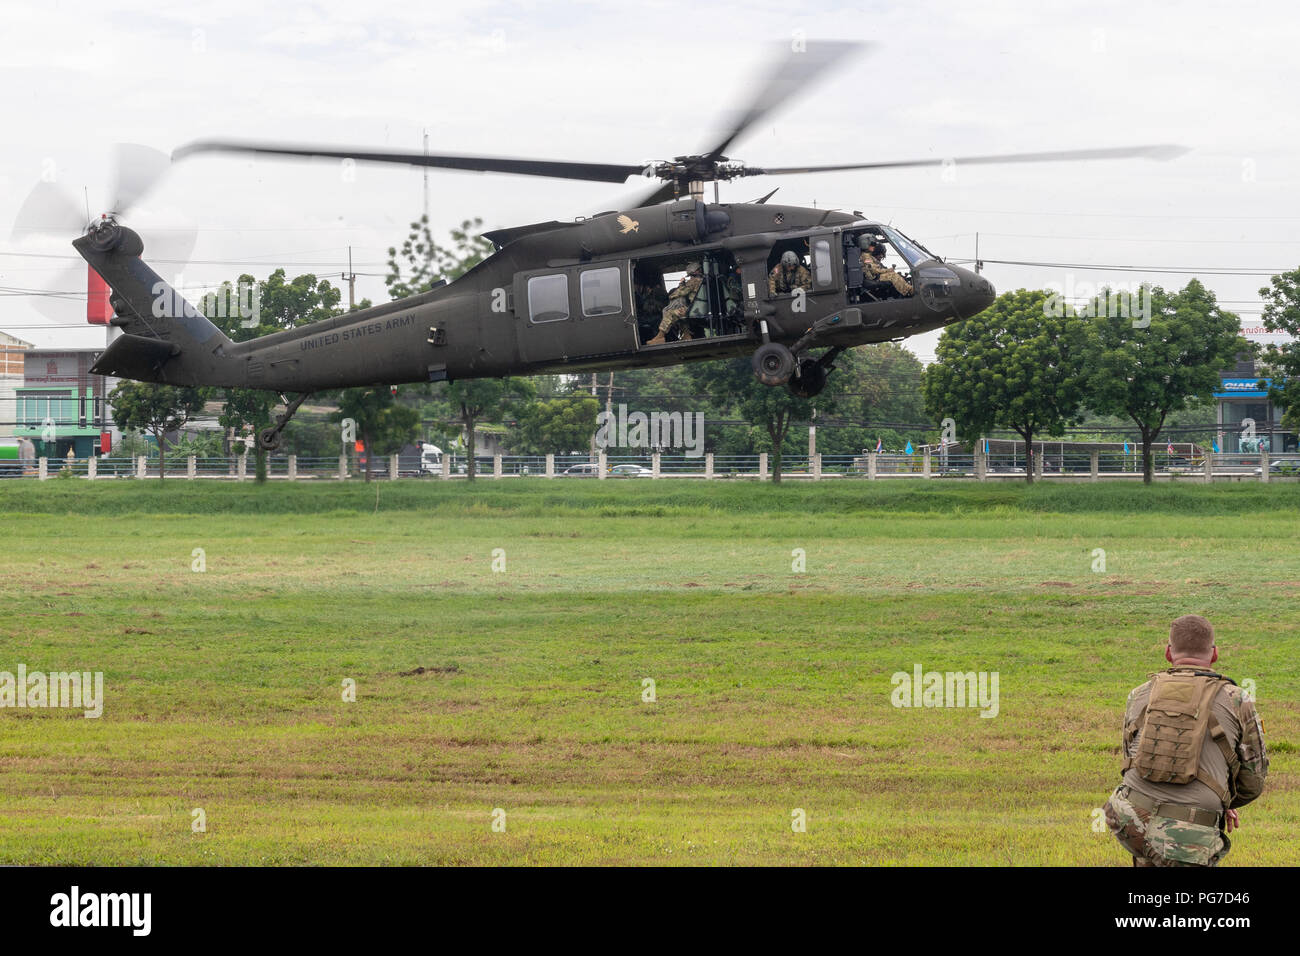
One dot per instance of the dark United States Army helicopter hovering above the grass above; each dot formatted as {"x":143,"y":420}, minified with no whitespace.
{"x":562,"y":297}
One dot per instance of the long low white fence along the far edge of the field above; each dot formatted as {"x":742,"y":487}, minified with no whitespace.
{"x":1097,"y":466}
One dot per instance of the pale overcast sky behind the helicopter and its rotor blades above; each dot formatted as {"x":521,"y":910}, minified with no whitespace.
{"x":648,"y":81}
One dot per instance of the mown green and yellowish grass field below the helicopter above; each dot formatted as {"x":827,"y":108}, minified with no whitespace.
{"x":522,"y":690}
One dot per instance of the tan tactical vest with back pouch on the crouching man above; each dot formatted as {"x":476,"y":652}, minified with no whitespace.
{"x":1178,"y":716}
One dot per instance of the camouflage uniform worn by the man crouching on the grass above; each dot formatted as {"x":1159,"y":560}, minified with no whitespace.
{"x":1134,"y":812}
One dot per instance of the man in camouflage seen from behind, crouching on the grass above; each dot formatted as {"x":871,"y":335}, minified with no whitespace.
{"x":1193,"y":755}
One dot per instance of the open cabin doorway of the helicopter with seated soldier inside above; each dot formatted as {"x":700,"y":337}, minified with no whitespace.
{"x":713,"y":308}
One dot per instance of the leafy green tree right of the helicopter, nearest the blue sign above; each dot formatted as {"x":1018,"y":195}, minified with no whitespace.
{"x":1146,"y":373}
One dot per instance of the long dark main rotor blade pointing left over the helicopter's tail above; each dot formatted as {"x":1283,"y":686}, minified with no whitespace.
{"x":592,"y":172}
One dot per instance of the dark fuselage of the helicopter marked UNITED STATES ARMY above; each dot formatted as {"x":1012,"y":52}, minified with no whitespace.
{"x":570,"y":297}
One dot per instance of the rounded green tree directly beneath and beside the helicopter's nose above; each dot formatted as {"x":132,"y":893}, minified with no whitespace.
{"x":1017,"y":365}
